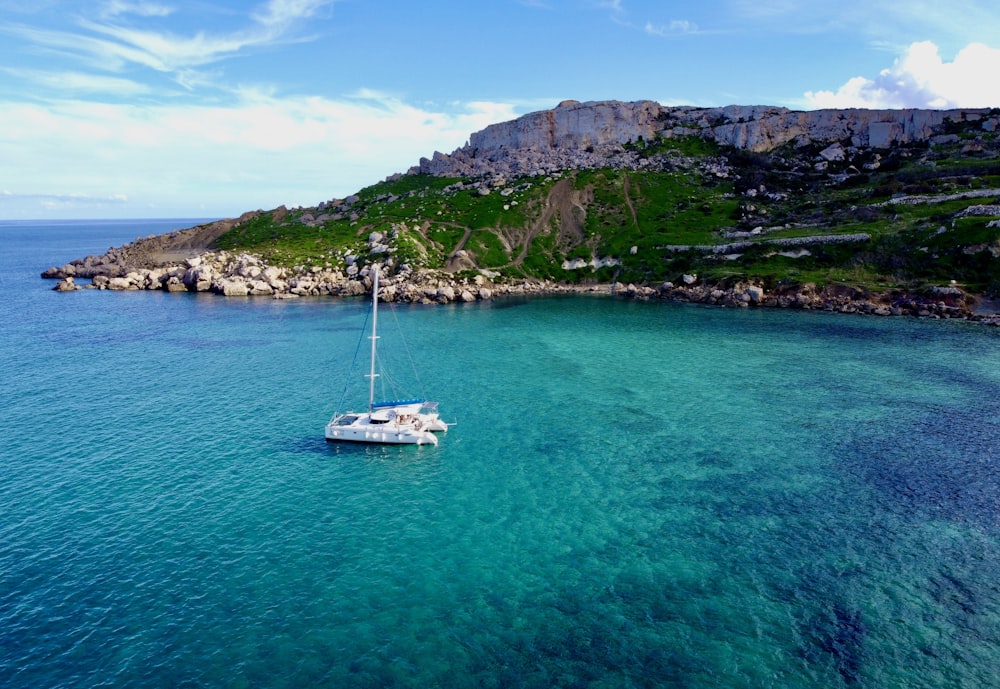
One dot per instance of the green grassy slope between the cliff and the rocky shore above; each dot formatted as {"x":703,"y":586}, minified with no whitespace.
{"x":531,"y":226}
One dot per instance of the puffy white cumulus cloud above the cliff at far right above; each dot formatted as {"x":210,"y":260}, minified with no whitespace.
{"x":921,"y":79}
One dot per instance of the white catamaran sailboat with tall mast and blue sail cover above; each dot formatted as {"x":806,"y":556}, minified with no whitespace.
{"x":392,"y":422}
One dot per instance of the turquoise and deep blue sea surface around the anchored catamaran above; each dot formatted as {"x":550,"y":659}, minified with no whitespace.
{"x":634,"y":494}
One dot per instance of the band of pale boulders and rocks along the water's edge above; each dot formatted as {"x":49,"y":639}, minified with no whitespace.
{"x":246,"y":275}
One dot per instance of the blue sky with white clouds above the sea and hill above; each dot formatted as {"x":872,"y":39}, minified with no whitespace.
{"x":209,"y":108}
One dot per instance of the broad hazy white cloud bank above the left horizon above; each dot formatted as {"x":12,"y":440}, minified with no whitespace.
{"x":183,"y":160}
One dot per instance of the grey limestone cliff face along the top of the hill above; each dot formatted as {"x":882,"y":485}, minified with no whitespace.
{"x":591,"y":134}
